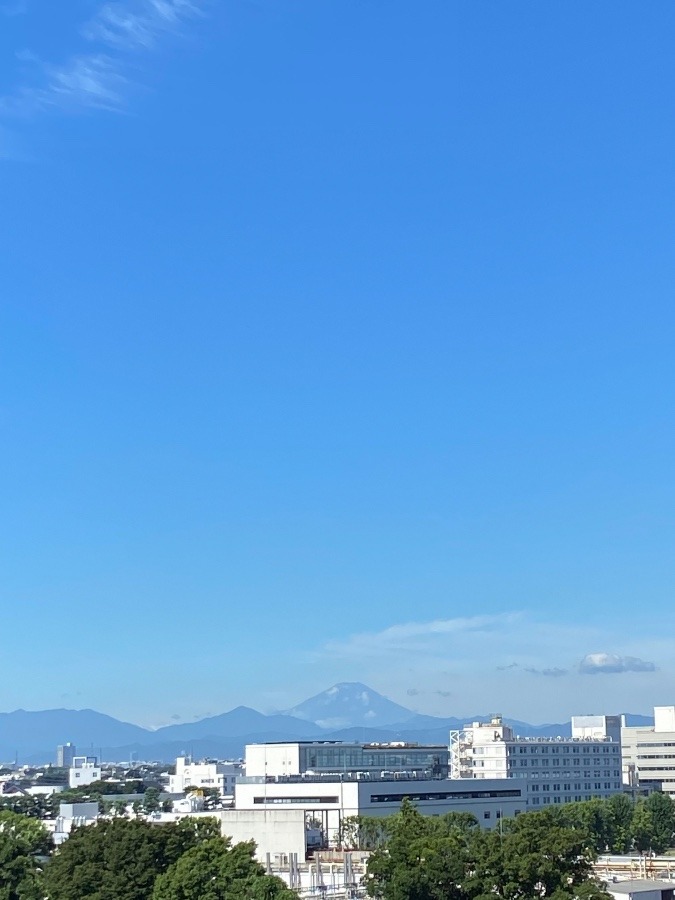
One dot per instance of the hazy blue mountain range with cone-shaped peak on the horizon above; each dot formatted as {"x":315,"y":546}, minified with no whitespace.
{"x":347,"y":712}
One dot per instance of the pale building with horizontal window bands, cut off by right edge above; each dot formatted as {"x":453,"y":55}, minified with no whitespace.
{"x":649,"y":752}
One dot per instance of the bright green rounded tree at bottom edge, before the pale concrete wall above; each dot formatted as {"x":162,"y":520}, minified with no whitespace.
{"x":215,"y":870}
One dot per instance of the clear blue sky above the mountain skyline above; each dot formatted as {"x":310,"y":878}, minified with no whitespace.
{"x":337,"y":344}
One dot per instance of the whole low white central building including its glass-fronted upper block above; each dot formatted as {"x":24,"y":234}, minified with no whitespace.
{"x":330,"y":781}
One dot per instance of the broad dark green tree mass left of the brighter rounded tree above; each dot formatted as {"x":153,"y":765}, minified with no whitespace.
{"x":119,"y":859}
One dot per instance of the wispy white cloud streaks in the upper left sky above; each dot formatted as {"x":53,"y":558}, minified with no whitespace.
{"x":97,"y":76}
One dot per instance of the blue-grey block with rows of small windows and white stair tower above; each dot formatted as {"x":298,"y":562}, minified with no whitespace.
{"x":552,"y":770}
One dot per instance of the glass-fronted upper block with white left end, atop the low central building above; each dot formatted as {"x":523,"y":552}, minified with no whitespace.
{"x":336,"y":757}
